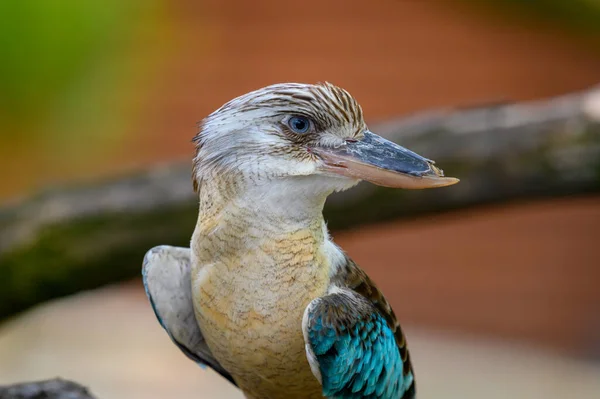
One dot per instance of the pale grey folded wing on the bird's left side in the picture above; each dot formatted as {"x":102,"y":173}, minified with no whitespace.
{"x":166,"y":275}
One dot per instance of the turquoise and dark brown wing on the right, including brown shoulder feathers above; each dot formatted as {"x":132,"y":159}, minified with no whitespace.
{"x":354,"y":344}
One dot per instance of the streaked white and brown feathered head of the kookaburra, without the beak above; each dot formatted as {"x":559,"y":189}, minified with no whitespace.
{"x":270,"y":133}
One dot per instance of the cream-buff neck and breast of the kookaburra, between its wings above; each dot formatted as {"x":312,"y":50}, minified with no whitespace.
{"x":259,"y":257}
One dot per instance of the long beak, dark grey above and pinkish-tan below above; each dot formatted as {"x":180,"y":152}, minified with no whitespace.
{"x":382,"y":162}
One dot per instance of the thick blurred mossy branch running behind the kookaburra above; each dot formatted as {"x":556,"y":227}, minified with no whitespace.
{"x":70,"y":239}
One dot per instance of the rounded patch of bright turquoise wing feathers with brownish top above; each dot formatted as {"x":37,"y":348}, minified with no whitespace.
{"x":356,"y":350}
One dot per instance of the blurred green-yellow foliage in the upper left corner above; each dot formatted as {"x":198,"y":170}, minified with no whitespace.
{"x":73,"y":83}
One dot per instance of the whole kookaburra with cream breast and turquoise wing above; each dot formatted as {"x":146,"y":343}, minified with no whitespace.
{"x":263,"y":296}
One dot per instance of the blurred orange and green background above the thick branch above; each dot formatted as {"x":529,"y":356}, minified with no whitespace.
{"x":95,"y":90}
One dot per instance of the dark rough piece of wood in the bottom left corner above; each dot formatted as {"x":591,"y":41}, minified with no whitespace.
{"x":50,"y":389}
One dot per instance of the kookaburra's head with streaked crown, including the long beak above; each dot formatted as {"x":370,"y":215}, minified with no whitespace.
{"x":303,"y":132}
